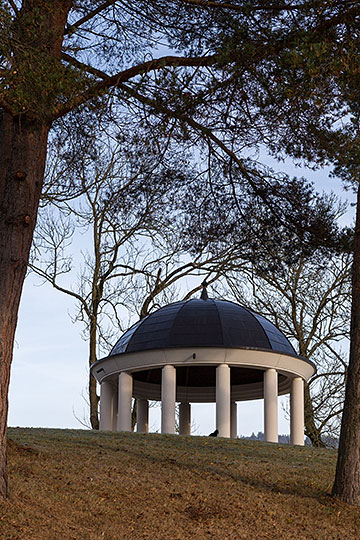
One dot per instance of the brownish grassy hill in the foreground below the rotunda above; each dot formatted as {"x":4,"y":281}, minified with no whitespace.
{"x":83,"y":485}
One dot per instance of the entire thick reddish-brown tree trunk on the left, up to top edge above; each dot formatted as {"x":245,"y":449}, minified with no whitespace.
{"x":23,"y":146}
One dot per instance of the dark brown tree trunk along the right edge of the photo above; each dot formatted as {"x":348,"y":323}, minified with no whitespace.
{"x":347,"y":479}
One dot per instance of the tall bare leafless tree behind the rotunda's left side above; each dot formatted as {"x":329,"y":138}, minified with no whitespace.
{"x":125,"y":216}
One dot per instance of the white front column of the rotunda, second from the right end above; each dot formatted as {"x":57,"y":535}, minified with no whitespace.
{"x":271,"y":406}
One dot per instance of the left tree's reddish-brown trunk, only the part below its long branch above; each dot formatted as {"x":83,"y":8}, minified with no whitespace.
{"x":22,"y":161}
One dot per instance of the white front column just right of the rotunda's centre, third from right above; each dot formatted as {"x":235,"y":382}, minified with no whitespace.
{"x":223,"y":400}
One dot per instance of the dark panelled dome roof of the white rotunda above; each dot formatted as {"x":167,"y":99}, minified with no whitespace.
{"x":203,"y":323}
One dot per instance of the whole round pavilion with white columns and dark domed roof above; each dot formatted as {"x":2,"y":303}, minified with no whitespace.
{"x":201,"y":351}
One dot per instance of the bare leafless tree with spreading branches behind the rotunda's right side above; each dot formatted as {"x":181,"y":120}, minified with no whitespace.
{"x":309,"y":301}
